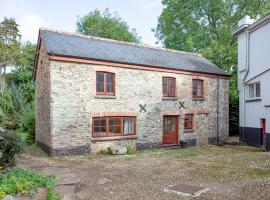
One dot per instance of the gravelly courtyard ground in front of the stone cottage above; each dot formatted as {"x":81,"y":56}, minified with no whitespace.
{"x":230,"y":172}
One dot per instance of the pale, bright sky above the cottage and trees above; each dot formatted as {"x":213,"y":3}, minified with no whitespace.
{"x":62,"y":15}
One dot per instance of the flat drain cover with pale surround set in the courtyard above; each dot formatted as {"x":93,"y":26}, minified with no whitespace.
{"x":186,"y":190}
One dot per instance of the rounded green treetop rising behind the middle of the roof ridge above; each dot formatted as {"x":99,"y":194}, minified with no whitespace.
{"x":106,"y":25}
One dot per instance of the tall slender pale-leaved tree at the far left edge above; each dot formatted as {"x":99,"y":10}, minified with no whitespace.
{"x":9,"y":47}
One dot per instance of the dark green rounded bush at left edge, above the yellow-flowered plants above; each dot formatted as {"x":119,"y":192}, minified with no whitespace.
{"x":9,"y":145}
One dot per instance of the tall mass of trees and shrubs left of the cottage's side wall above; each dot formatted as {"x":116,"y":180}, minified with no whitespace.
{"x":17,"y":94}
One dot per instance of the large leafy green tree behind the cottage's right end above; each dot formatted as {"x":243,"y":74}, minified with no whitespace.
{"x":206,"y":27}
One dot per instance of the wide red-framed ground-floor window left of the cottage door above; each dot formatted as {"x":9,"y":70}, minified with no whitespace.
{"x":113,"y":126}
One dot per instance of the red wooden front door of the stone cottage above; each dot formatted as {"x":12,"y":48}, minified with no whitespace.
{"x":170,"y":130}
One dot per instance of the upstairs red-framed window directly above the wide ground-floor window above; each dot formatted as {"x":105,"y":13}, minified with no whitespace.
{"x":105,"y":83}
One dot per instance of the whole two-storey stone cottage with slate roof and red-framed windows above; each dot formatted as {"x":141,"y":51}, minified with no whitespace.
{"x":94,"y":93}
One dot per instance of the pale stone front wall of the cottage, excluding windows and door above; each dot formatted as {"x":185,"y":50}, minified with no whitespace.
{"x":74,"y":102}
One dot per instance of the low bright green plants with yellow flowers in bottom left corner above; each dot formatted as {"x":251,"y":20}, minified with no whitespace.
{"x":25,"y":182}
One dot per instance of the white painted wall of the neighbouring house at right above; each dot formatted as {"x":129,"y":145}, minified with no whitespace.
{"x":259,"y":62}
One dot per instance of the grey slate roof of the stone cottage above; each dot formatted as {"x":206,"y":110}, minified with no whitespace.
{"x":75,"y":45}
